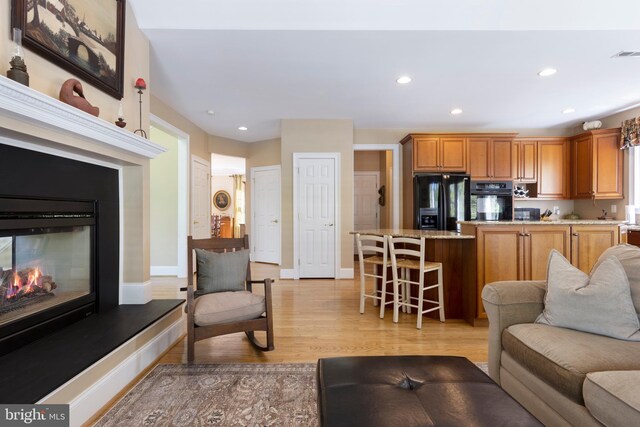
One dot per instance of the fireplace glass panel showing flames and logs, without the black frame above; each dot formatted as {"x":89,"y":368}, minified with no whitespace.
{"x":43,"y":267}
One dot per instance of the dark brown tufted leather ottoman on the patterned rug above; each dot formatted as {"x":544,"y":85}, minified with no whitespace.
{"x":406,"y":391}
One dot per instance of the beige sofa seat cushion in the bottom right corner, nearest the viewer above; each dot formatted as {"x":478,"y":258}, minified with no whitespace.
{"x":613,"y":397}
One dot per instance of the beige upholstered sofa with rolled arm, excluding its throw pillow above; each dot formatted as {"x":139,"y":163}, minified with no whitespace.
{"x":562,"y":376}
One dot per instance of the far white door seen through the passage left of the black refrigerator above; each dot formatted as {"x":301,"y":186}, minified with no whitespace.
{"x":366,"y":210}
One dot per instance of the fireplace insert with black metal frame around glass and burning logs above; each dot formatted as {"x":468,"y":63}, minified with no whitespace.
{"x":47,"y":251}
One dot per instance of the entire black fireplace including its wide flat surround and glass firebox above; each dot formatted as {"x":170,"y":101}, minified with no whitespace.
{"x":59,"y":244}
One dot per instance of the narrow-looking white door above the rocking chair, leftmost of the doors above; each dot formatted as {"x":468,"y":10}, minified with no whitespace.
{"x":200,"y":198}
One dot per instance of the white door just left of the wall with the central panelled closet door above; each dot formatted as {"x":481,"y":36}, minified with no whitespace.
{"x":266,"y":219}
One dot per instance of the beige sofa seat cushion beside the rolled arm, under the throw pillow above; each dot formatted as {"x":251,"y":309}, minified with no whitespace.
{"x":563,"y":357}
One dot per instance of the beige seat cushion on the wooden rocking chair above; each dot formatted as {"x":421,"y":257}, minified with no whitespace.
{"x":225,"y":307}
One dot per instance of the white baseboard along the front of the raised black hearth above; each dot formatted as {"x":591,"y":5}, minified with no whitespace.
{"x":94,"y":398}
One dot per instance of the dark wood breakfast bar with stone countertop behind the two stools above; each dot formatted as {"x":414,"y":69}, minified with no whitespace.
{"x":456,"y":252}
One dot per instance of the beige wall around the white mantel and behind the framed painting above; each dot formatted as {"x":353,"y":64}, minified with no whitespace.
{"x":47,"y":78}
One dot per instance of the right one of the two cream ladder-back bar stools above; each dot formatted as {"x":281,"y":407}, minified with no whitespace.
{"x":414,"y":248}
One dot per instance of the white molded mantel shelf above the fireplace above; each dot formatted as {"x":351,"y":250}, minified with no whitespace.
{"x":21,"y":102}
